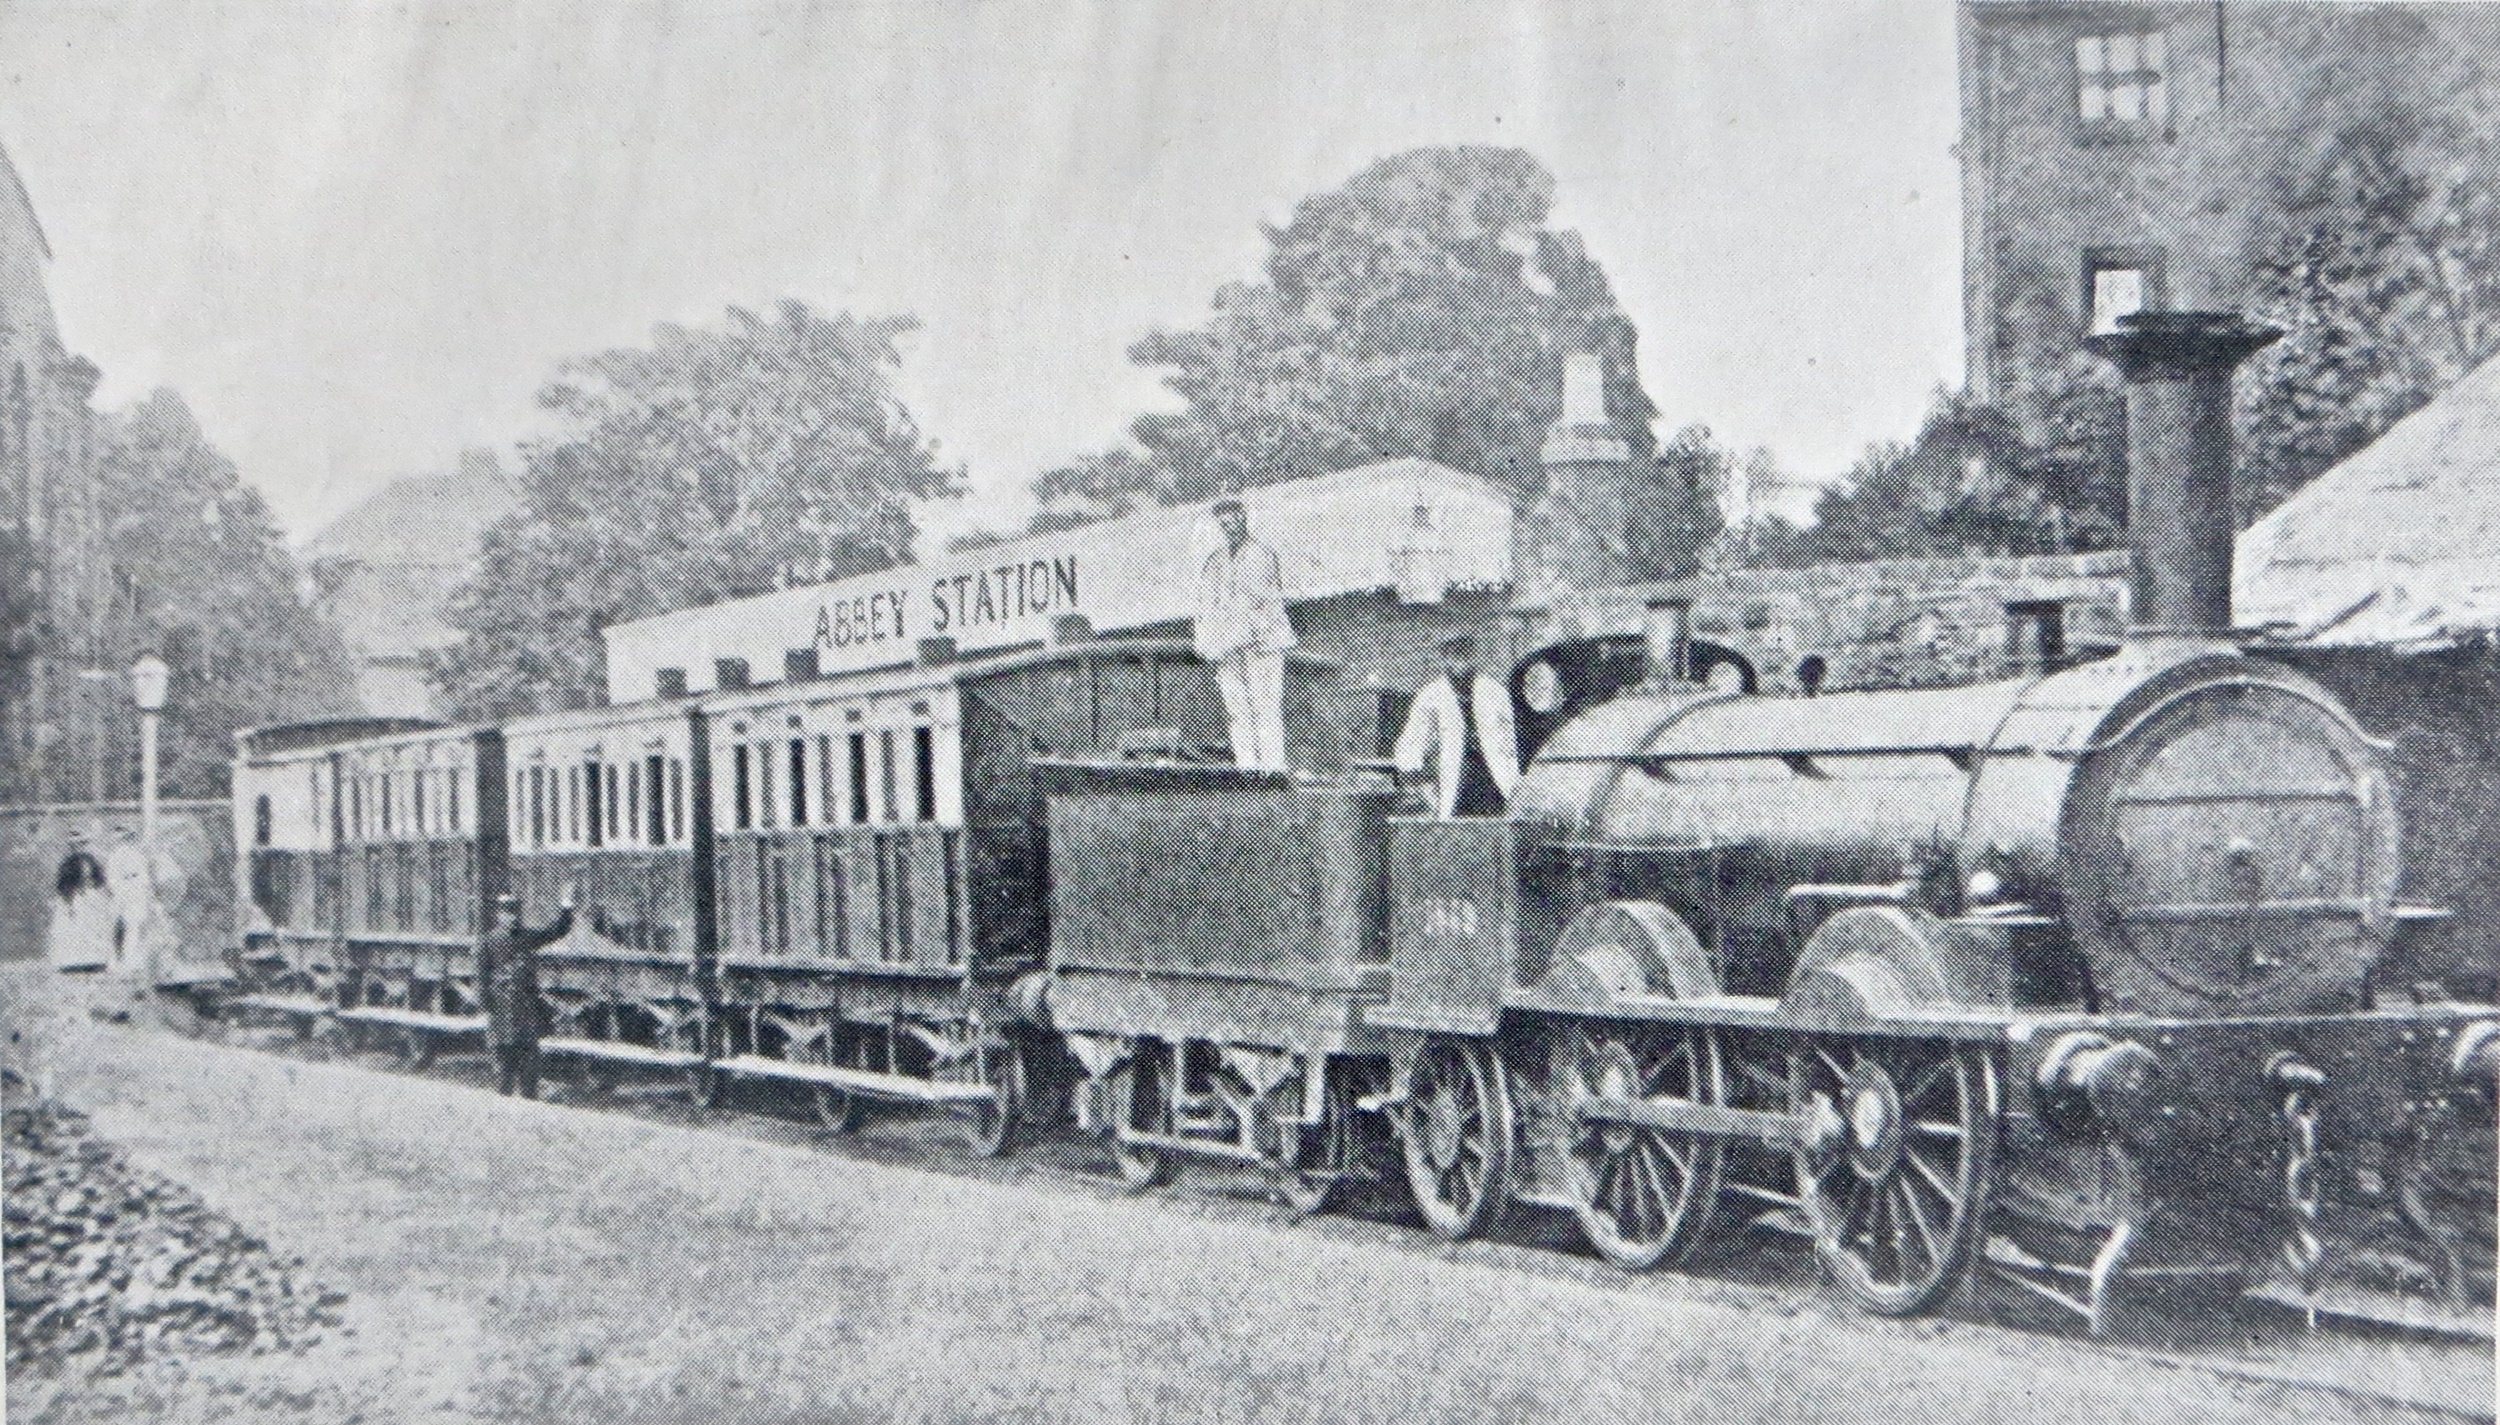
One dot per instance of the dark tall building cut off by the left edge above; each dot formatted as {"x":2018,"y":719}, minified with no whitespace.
{"x":51,"y":721}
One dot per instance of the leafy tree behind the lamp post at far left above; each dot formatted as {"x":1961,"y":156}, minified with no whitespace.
{"x":199,"y":571}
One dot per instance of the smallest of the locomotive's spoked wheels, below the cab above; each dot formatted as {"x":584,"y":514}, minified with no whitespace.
{"x":1456,"y":1136}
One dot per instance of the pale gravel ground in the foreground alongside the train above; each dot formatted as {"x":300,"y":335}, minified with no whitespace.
{"x":514,"y":1261}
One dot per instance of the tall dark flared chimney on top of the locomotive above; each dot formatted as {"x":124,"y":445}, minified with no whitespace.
{"x":2181,"y":464}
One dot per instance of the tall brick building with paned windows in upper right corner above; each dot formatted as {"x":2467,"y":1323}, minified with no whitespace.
{"x":2124,"y":156}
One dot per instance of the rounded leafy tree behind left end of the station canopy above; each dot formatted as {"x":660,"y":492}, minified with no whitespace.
{"x":714,"y":464}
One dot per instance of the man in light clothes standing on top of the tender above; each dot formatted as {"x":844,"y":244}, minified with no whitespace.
{"x":1244,"y":631}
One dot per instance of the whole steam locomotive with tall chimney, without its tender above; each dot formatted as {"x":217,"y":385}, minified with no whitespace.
{"x":2084,"y":976}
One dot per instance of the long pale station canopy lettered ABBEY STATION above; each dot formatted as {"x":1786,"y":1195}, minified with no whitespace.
{"x":1406,"y":526}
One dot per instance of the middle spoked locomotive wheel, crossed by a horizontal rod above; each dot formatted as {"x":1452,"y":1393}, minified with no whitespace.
{"x":1641,"y":1194}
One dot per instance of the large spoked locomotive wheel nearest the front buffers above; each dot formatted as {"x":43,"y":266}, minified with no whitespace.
{"x":1896,"y":1181}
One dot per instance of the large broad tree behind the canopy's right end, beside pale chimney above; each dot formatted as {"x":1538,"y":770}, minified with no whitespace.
{"x":1424,"y":309}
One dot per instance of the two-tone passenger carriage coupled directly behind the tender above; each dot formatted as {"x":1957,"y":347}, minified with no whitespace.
{"x":884,"y":864}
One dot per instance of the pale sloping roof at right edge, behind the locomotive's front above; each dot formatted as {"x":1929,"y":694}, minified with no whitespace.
{"x":2394,"y":549}
